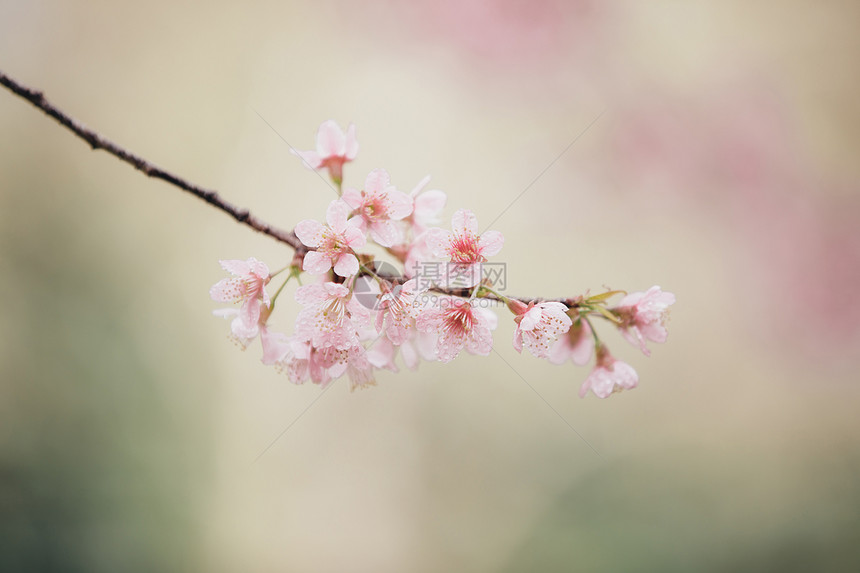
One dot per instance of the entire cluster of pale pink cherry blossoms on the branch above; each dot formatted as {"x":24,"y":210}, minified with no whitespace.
{"x":356,"y":316}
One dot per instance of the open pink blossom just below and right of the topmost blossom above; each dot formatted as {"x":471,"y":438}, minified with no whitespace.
{"x":378,"y":206}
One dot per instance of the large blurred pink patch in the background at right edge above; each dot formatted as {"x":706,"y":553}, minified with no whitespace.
{"x":735,"y":152}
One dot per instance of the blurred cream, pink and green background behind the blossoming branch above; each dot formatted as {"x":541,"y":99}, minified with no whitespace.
{"x":720,"y":163}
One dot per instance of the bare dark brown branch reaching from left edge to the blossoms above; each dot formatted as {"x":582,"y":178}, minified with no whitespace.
{"x":96,"y":141}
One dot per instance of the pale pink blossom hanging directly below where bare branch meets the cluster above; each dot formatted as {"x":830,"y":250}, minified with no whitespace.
{"x":331,"y":317}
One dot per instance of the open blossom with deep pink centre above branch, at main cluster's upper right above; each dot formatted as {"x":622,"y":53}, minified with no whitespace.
{"x":465,"y":249}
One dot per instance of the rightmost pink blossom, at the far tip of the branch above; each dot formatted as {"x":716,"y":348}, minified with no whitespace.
{"x":643,"y":315}
